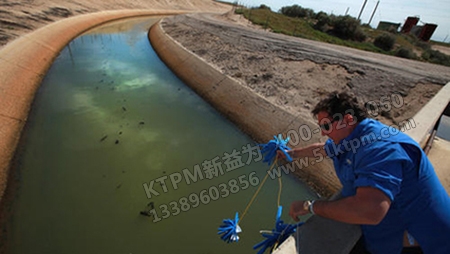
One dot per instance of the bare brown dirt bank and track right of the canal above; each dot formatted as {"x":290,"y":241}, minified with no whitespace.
{"x":295,"y":73}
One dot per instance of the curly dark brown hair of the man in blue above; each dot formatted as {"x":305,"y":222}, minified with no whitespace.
{"x":338,"y":104}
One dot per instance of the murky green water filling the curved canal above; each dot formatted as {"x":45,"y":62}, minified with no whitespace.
{"x":109,"y":118}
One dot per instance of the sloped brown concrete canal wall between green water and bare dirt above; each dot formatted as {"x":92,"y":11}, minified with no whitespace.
{"x":253,"y":114}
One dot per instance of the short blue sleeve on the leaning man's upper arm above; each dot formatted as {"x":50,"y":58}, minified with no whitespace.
{"x":380,"y":165}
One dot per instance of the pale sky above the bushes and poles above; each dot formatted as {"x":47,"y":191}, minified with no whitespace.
{"x":396,"y":11}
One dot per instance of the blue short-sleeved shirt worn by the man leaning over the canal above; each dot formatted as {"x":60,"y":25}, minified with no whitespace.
{"x":379,"y":156}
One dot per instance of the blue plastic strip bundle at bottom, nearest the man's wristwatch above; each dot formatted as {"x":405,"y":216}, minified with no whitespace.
{"x":276,"y":236}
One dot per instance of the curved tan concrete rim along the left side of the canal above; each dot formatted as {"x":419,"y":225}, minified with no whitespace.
{"x":24,"y":63}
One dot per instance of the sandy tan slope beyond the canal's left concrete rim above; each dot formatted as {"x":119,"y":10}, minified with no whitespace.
{"x":21,"y":17}
